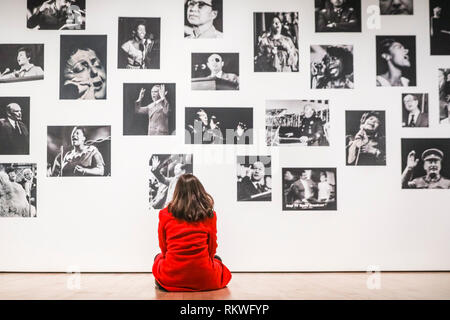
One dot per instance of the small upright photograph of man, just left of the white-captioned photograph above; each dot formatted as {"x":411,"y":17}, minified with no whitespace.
{"x":254,"y":178}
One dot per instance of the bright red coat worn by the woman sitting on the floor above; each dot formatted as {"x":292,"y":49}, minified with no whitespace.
{"x":187,"y":261}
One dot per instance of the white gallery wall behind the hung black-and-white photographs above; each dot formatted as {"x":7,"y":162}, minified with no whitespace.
{"x":105,"y":224}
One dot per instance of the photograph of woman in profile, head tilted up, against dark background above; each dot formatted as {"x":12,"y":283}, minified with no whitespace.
{"x":396,"y":61}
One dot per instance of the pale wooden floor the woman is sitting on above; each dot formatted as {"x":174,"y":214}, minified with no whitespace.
{"x":243,"y":286}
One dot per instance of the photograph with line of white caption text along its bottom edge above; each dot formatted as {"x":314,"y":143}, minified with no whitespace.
{"x":309,"y":189}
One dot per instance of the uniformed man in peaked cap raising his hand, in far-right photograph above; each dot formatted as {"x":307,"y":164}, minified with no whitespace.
{"x":432,"y":160}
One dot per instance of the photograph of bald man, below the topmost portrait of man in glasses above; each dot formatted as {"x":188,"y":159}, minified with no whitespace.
{"x":215,"y":71}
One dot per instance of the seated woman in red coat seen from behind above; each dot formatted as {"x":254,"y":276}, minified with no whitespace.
{"x":188,"y":240}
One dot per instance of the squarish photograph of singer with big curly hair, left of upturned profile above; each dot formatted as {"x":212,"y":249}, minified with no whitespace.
{"x":332,"y":67}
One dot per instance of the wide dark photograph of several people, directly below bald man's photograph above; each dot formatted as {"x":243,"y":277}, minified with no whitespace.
{"x":219,"y":125}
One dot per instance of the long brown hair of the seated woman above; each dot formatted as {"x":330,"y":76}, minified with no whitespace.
{"x":190,"y":201}
